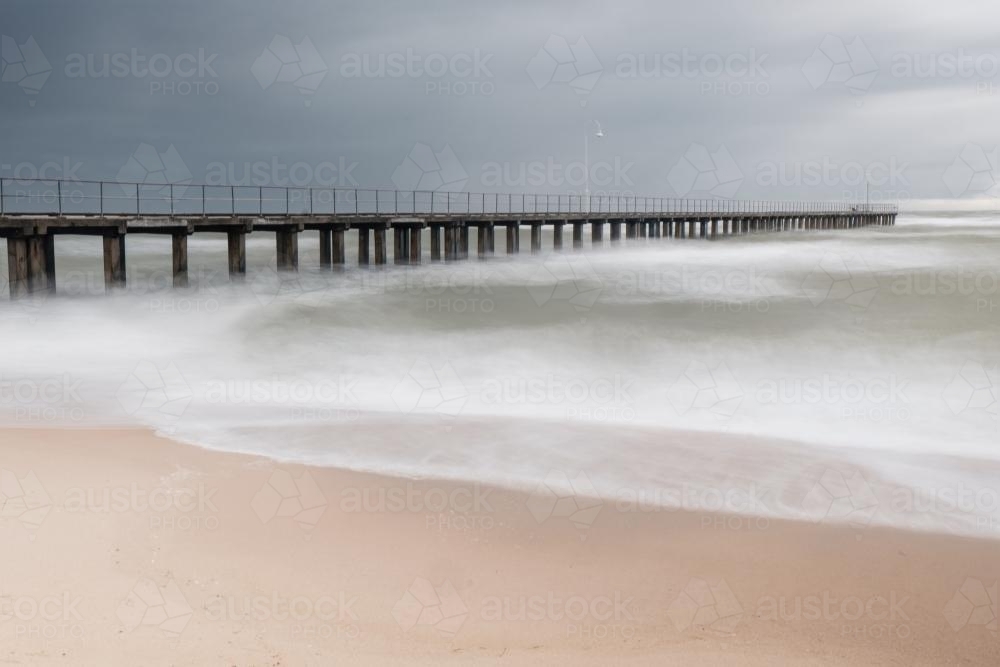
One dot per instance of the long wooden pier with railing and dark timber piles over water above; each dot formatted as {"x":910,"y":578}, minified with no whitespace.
{"x":32,"y":213}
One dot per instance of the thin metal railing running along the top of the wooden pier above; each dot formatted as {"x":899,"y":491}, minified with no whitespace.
{"x":100,"y":198}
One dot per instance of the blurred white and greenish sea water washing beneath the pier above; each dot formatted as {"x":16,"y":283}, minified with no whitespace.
{"x":874,"y":350}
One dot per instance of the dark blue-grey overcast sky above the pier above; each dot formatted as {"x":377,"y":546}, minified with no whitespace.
{"x":721,"y":98}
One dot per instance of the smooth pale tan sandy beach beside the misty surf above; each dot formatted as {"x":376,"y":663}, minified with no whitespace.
{"x":122,"y":548}
